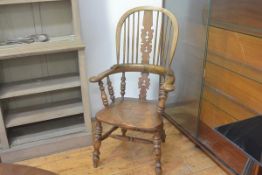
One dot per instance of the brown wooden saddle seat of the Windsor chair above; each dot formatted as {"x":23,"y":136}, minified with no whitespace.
{"x":132,"y":114}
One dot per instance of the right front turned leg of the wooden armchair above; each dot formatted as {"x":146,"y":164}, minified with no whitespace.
{"x":157,"y":152}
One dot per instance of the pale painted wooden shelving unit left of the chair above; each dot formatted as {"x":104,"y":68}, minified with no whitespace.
{"x":43,"y":85}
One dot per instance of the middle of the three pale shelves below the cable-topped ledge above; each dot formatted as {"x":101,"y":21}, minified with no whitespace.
{"x":45,"y":112}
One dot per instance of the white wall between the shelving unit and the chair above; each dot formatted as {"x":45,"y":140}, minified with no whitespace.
{"x":98,"y":20}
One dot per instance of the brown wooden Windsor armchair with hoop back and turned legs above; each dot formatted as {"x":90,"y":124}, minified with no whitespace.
{"x":146,"y":39}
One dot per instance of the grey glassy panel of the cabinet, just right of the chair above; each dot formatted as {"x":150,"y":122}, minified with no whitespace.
{"x":183,"y":104}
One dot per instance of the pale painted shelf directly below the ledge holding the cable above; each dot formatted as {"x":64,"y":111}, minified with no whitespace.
{"x":40,"y":85}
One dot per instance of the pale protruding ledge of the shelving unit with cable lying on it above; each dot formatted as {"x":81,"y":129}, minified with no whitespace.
{"x":54,"y":45}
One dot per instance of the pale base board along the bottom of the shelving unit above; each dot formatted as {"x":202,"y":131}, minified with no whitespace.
{"x":46,"y":147}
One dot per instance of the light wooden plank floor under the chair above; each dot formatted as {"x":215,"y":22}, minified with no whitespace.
{"x":179,"y":157}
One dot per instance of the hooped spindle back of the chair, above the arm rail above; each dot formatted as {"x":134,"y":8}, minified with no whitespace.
{"x":146,"y":35}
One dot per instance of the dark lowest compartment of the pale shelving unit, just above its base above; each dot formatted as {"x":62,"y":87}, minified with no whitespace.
{"x":47,"y":130}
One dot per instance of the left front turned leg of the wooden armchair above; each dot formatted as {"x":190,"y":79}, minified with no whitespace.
{"x":97,"y":144}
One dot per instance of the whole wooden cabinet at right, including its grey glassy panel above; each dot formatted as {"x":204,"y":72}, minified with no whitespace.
{"x":232,"y":76}
